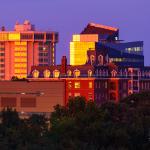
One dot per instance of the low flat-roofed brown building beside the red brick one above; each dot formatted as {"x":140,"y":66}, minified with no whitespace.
{"x":29,"y":97}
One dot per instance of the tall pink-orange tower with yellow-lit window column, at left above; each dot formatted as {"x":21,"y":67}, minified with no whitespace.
{"x":24,"y":47}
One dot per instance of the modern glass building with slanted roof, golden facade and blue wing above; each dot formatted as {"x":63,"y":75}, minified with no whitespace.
{"x":105,"y":40}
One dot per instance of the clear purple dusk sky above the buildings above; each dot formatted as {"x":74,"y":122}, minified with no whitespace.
{"x":71,"y":16}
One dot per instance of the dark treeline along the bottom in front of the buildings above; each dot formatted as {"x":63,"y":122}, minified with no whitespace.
{"x":81,"y":125}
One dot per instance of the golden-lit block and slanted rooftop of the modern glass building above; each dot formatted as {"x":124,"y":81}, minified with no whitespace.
{"x":87,"y":40}
